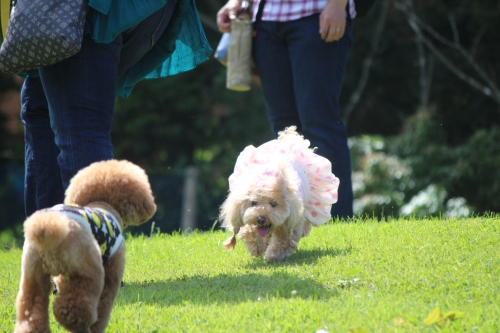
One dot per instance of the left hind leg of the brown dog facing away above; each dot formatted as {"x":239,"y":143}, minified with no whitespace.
{"x":33,"y":298}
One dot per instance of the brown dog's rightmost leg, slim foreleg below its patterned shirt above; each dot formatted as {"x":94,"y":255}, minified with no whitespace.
{"x":113,"y":274}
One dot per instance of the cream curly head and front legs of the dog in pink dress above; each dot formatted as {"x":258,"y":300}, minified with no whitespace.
{"x":275,"y":209}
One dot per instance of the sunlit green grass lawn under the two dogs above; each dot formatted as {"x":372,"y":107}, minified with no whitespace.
{"x":362,"y":276}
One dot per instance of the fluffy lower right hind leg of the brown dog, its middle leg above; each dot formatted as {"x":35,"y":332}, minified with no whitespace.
{"x":75,"y":306}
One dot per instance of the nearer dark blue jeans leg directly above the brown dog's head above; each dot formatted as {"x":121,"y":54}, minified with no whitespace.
{"x":80,"y":92}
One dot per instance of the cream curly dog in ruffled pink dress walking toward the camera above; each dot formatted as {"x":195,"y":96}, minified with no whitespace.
{"x":277,"y":192}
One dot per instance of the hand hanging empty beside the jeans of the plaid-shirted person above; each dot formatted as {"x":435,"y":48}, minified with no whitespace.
{"x":332,"y":20}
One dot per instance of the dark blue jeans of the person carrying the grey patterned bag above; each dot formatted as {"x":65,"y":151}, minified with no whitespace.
{"x":67,"y":112}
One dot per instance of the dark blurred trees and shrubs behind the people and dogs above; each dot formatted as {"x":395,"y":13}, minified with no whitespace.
{"x":420,"y":99}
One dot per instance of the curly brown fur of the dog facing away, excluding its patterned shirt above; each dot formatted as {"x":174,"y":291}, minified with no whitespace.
{"x":56,"y":245}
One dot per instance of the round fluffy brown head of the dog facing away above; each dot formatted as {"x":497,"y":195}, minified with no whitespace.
{"x":121,"y":184}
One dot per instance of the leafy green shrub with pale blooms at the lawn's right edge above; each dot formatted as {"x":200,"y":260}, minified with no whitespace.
{"x":418,"y":173}
